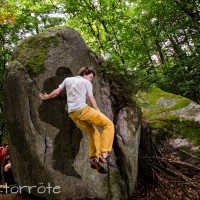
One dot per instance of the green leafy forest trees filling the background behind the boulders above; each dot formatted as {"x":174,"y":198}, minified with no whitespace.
{"x":150,"y":42}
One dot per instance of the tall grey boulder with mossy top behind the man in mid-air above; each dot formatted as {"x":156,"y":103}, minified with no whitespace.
{"x":49,"y":153}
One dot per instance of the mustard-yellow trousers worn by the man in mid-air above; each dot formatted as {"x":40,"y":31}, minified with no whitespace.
{"x":87,"y":119}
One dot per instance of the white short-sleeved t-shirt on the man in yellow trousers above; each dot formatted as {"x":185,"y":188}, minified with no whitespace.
{"x":76,"y":89}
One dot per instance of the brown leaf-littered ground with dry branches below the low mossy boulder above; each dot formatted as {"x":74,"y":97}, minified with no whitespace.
{"x":164,"y":177}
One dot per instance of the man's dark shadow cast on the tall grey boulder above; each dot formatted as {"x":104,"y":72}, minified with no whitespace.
{"x":67,"y":142}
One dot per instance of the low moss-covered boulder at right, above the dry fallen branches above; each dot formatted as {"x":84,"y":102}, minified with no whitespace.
{"x":173,"y":122}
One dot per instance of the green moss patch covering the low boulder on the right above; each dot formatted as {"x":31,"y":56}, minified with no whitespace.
{"x":166,"y":121}
